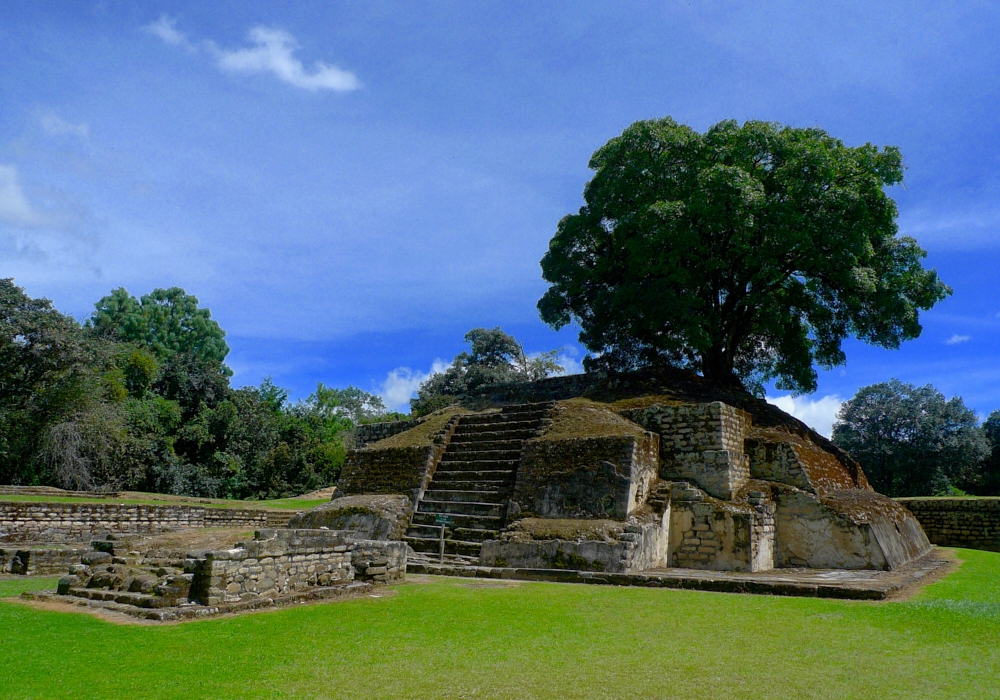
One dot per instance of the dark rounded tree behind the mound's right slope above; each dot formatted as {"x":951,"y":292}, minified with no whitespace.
{"x":911,"y":441}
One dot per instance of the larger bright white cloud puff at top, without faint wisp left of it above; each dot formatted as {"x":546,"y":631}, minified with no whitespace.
{"x":272,"y":53}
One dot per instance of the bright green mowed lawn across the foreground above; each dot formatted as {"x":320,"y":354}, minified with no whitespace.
{"x":454,"y":638}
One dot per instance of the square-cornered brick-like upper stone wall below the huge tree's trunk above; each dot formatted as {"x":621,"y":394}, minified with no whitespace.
{"x":702,"y":443}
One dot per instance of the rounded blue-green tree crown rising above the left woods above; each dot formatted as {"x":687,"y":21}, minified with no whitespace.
{"x":167,"y":321}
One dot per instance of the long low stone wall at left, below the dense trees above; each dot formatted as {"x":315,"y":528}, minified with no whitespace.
{"x":70,"y":522}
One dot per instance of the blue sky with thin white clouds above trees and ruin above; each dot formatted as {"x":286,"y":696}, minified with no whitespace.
{"x":350,"y":187}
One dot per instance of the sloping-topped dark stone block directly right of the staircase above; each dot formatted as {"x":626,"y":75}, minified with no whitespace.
{"x":593,"y":477}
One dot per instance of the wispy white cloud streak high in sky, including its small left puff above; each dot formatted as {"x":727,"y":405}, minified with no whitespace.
{"x":271,"y":51}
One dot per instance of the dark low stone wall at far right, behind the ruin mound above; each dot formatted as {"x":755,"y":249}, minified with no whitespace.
{"x":973,"y":523}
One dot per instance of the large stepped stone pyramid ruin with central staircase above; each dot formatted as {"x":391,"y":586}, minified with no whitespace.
{"x":628,"y":474}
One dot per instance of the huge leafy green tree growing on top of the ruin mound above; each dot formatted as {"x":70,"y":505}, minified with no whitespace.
{"x":748,"y":252}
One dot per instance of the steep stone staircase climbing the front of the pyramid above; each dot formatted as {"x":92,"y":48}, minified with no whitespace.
{"x":472,"y":485}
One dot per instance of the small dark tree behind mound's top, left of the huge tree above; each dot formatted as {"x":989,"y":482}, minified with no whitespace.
{"x":494,"y":358}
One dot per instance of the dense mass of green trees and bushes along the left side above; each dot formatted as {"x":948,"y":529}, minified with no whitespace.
{"x":139,"y":398}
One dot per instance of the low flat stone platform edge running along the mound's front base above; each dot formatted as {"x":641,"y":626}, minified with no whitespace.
{"x":810,"y":583}
